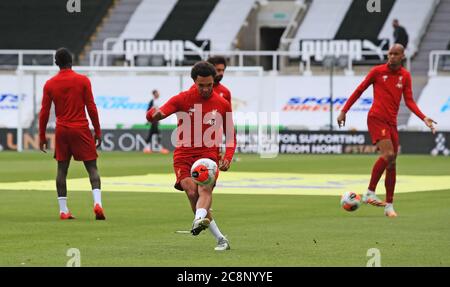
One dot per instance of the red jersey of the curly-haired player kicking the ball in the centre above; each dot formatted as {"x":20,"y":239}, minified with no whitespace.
{"x":201,"y":123}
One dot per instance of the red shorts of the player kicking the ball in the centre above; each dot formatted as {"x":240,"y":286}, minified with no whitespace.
{"x":182,"y":165}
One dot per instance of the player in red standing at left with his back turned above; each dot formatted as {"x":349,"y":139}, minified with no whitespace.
{"x":71,"y":93}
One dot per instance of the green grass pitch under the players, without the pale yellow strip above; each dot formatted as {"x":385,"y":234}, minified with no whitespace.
{"x":264,"y":230}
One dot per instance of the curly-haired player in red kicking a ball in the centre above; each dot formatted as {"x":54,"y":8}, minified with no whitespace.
{"x":203,"y":118}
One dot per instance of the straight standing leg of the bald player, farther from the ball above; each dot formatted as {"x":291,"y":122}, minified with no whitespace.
{"x":390,"y":178}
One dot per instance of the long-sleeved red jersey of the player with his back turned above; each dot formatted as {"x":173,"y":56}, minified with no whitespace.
{"x":71,"y":93}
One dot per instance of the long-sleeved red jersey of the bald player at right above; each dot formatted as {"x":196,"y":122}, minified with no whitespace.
{"x":388,"y":88}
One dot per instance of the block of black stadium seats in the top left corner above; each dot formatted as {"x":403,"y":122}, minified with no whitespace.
{"x":48,"y":24}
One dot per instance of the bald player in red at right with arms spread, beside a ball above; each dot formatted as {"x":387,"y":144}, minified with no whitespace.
{"x":390,"y":81}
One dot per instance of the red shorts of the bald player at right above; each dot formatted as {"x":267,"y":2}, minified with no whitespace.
{"x":380,"y":130}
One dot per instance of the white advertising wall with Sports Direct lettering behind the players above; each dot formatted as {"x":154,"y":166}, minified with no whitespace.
{"x":303,"y":103}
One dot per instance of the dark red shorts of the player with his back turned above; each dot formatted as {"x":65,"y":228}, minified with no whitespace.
{"x":76,"y":142}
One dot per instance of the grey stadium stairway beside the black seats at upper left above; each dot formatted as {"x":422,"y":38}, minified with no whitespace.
{"x":112,"y":26}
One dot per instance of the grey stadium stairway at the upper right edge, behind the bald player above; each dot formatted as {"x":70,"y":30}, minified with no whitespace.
{"x":436,"y":37}
